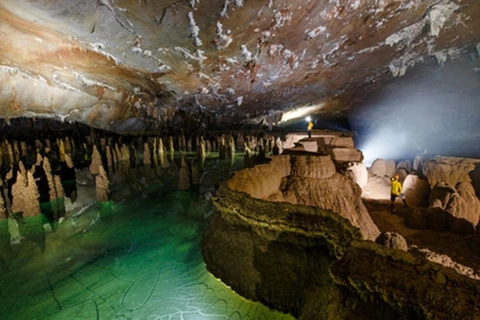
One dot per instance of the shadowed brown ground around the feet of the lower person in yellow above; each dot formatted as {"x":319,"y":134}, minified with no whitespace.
{"x":458,"y":248}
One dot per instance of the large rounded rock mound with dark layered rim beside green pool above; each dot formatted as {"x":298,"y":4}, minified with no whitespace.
{"x":293,"y":234}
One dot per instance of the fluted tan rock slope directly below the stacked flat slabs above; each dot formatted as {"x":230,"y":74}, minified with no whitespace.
{"x":338,"y":194}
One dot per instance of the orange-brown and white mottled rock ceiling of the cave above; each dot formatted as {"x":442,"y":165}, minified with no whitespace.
{"x":129,"y":65}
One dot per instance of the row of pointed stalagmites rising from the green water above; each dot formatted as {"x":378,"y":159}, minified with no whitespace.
{"x":110,"y":159}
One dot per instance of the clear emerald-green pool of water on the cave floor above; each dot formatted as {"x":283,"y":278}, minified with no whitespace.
{"x":137,"y":259}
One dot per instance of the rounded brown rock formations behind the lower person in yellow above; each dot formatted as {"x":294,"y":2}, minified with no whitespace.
{"x":443,"y":190}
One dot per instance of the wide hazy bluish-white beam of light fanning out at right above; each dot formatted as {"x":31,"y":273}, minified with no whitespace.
{"x":434,"y":111}
